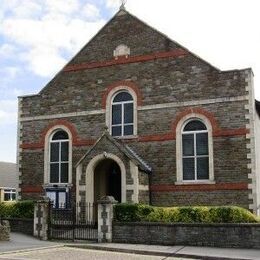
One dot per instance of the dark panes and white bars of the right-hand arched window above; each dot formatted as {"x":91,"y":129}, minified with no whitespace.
{"x":195,"y":151}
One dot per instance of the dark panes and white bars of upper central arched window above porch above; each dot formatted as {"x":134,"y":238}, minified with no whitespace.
{"x":122,"y":119}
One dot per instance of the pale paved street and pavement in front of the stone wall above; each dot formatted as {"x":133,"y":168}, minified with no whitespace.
{"x":25,"y":247}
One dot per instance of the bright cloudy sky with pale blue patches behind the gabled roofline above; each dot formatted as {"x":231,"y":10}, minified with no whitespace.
{"x":38,"y":37}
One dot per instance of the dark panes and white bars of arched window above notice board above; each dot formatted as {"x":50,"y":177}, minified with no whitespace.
{"x":59,"y":157}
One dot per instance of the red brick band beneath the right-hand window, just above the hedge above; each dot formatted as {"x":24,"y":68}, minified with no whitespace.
{"x":199,"y":187}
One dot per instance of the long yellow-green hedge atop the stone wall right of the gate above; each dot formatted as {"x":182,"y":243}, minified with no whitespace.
{"x":138,"y":212}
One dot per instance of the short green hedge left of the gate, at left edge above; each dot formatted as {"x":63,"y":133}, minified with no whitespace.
{"x":20,"y":209}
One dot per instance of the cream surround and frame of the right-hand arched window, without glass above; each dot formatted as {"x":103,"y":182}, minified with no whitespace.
{"x":179,"y":156}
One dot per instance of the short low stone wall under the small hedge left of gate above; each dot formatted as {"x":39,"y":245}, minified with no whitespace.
{"x":20,"y":225}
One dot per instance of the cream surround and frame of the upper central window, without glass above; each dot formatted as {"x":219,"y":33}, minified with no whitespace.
{"x":109,"y":102}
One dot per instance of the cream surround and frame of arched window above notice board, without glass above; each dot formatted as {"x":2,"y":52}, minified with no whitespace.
{"x":48,"y":139}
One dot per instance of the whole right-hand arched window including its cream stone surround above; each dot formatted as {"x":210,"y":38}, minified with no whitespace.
{"x":194,"y":150}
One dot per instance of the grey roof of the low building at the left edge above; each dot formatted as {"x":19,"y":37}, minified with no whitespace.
{"x":8,"y":175}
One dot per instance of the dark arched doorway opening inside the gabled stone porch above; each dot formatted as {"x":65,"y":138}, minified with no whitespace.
{"x":107,"y":180}
